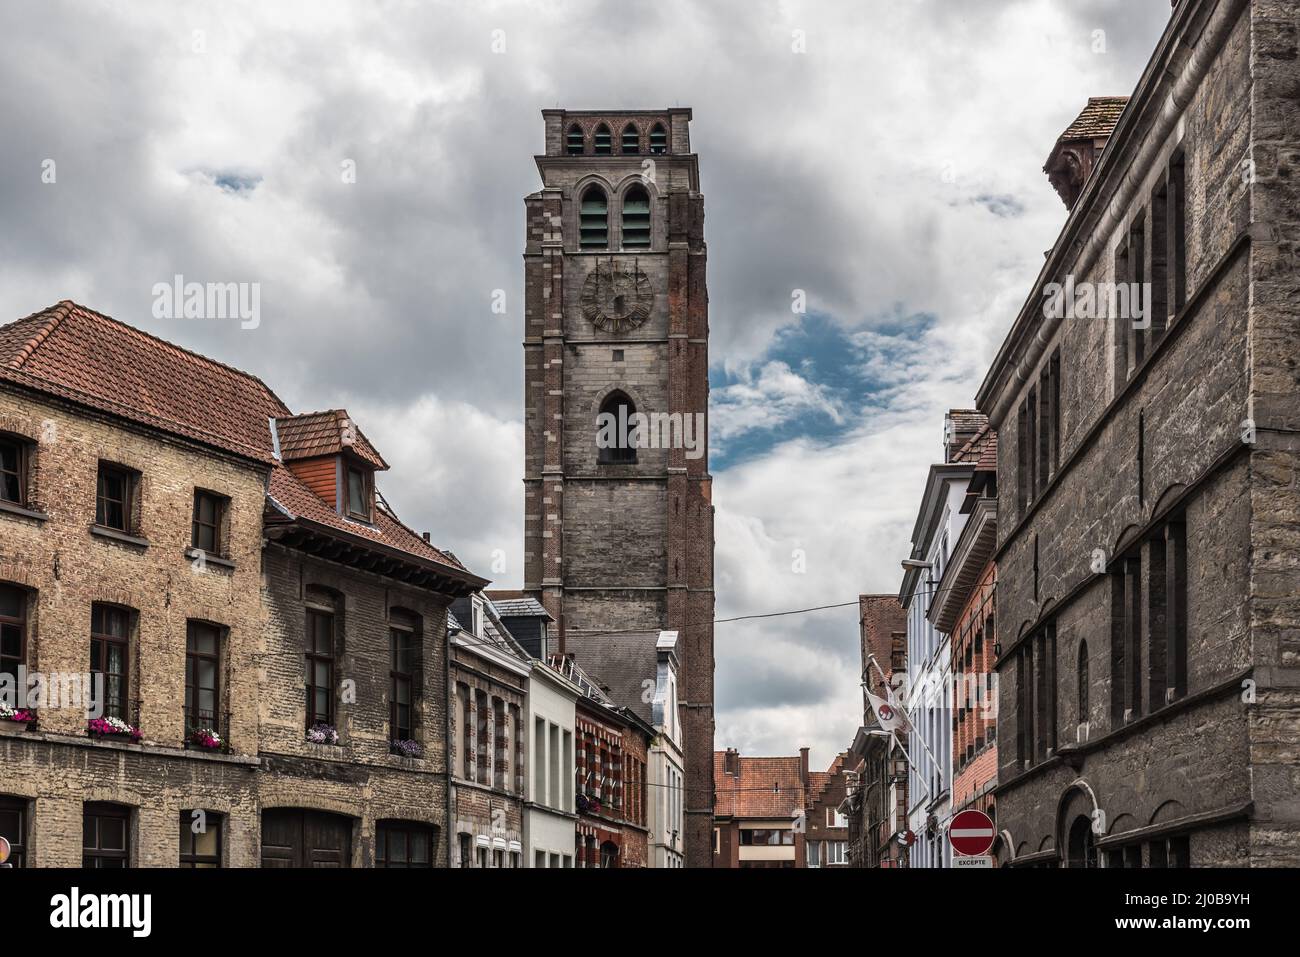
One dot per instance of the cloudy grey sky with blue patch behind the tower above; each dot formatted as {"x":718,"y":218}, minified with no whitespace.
{"x":885,"y":157}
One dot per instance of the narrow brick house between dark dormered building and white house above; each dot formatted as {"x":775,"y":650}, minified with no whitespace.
{"x":488,"y":738}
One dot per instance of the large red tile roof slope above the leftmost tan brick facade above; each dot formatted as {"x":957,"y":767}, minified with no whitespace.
{"x":84,"y":357}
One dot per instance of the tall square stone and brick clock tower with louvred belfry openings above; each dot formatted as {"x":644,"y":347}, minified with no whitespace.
{"x":619,"y":542}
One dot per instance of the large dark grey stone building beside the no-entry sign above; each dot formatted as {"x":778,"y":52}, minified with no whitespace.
{"x":1149,"y":659}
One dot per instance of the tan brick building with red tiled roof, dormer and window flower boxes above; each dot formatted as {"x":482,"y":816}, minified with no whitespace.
{"x":132,"y":556}
